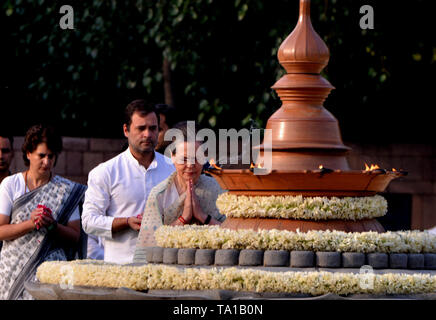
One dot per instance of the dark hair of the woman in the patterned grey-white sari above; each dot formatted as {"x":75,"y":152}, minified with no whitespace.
{"x":41,"y":134}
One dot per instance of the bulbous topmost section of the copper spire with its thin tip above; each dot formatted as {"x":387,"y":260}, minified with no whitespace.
{"x":303,"y":51}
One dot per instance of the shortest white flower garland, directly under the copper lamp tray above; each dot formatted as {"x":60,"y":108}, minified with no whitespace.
{"x":298,"y":207}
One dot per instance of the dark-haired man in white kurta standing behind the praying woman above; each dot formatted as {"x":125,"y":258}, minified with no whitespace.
{"x":118,"y":189}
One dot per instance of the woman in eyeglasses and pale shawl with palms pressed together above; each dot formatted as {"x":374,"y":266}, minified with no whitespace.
{"x":185,"y":197}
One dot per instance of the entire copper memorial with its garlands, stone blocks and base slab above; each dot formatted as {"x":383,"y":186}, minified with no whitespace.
{"x":305,"y":230}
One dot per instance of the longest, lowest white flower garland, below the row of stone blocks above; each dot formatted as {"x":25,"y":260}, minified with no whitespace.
{"x":171,"y":278}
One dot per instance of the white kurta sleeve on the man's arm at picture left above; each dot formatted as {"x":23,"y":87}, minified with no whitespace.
{"x":97,"y":200}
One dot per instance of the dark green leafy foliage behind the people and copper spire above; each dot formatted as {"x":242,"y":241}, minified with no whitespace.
{"x":223,"y":63}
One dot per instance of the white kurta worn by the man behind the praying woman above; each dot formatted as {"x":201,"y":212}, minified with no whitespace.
{"x":120,"y":188}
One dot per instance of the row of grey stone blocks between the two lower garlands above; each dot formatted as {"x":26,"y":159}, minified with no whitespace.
{"x":283,"y":258}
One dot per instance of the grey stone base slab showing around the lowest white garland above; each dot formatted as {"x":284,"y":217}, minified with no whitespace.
{"x":42,"y":291}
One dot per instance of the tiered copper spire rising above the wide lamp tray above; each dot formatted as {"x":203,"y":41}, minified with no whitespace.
{"x":304,"y":133}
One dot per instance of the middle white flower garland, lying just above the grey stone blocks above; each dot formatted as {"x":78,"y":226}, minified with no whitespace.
{"x":214,"y":237}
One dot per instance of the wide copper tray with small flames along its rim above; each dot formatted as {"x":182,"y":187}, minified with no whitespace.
{"x":354,"y":183}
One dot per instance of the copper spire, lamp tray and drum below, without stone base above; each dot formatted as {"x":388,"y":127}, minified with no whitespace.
{"x":308,"y":155}
